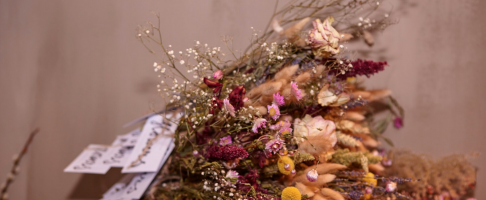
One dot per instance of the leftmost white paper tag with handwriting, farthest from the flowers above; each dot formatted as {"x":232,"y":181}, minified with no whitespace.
{"x":90,"y":160}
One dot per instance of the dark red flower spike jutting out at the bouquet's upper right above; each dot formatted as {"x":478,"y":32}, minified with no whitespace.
{"x":363,"y":68}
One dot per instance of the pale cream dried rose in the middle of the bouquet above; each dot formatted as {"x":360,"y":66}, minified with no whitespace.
{"x":317,"y":126}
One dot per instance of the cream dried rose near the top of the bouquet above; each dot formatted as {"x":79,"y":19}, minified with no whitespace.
{"x":323,"y":38}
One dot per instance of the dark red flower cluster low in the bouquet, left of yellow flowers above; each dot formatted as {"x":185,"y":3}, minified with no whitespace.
{"x":227,"y":153}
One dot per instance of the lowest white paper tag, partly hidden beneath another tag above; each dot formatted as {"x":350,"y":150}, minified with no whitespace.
{"x":135,"y":188}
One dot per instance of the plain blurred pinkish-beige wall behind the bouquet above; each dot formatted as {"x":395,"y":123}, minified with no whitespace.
{"x":75,"y":70}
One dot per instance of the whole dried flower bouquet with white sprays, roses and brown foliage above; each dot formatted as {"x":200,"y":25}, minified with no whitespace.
{"x":290,"y":119}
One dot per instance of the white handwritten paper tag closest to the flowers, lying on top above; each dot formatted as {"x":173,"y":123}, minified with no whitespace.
{"x":152,"y":143}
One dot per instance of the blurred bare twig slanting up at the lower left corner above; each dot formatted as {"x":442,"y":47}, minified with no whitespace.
{"x":15,"y":168}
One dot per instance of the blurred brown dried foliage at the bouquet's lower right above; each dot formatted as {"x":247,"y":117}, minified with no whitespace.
{"x":453,"y":174}
